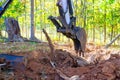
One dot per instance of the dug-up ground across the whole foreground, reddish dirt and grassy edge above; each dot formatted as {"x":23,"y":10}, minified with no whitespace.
{"x":103,"y":64}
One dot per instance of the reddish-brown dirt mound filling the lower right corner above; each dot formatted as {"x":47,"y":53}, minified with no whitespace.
{"x":105,"y":70}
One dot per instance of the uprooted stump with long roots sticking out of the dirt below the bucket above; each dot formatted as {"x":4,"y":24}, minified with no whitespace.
{"x":76,"y":61}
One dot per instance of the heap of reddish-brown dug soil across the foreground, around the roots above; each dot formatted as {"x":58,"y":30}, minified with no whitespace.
{"x":39,"y":67}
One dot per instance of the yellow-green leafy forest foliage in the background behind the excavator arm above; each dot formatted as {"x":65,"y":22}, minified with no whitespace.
{"x":93,"y":15}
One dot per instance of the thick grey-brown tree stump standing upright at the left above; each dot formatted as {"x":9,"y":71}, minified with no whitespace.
{"x":13,"y":30}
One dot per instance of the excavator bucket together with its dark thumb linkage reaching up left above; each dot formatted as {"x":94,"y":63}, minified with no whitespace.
{"x":77,"y":34}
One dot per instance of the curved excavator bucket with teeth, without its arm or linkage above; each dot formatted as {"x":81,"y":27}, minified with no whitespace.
{"x":80,"y":41}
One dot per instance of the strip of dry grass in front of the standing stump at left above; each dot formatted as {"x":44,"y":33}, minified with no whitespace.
{"x":21,"y":47}
